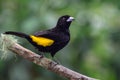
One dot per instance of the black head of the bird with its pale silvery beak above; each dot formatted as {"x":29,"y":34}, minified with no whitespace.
{"x":64,"y":21}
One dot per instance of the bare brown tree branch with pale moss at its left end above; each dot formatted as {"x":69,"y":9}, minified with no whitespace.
{"x":44,"y":62}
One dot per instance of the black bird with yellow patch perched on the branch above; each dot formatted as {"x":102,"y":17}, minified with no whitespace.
{"x":51,"y":40}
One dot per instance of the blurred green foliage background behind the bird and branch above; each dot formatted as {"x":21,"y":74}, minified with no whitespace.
{"x":94,"y":49}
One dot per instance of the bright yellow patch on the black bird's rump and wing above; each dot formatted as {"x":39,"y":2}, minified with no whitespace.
{"x":42,"y":41}
